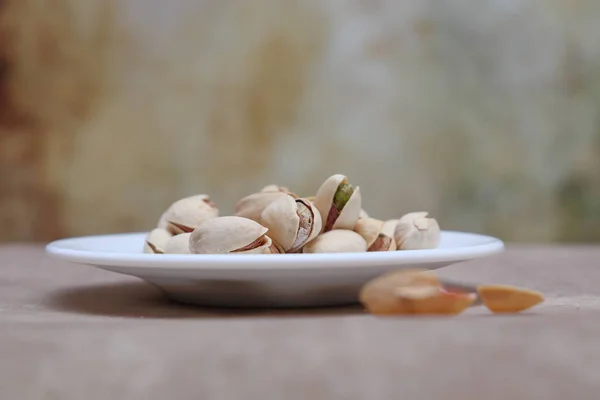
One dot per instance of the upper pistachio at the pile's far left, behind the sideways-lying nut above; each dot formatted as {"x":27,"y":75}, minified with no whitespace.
{"x":186,"y":214}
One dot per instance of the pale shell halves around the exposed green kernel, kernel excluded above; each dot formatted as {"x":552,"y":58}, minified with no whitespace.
{"x":324,"y":201}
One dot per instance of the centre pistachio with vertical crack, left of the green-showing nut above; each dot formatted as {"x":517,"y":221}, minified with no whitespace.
{"x":292,"y":222}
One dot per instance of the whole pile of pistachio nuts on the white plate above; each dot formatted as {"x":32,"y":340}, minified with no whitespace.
{"x":276,"y":221}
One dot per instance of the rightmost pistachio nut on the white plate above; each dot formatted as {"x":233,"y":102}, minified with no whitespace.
{"x":416,"y":231}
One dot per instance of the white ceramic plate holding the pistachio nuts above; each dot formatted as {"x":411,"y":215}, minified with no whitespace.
{"x":263,"y":280}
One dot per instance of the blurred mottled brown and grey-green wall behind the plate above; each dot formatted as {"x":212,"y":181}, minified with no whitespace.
{"x":484,"y":112}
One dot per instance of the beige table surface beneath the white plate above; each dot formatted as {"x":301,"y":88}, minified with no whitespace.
{"x":75,"y":332}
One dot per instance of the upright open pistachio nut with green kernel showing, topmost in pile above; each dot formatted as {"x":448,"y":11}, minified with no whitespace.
{"x":339,"y":203}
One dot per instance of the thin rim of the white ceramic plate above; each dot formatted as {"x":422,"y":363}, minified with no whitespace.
{"x":56,"y":249}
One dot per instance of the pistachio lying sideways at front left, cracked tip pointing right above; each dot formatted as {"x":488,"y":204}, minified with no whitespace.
{"x":224,"y":235}
